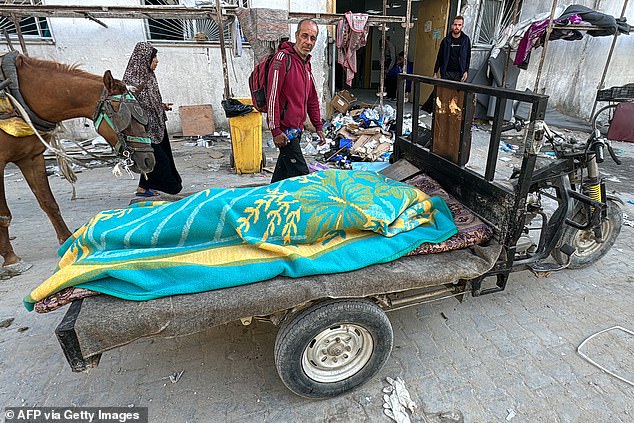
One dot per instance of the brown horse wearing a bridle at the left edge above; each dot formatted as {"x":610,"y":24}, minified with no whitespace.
{"x":56,"y":92}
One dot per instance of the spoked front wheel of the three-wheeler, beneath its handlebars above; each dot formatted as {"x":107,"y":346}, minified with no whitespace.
{"x":588,"y":250}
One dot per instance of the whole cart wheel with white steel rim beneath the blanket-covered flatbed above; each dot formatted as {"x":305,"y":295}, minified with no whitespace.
{"x":333,"y":347}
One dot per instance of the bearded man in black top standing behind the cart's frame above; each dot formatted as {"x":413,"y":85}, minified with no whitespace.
{"x":454,"y":54}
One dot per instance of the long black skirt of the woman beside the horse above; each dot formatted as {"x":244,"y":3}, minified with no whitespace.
{"x":164,"y":177}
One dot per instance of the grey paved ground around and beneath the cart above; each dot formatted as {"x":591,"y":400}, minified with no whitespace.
{"x":510,"y":356}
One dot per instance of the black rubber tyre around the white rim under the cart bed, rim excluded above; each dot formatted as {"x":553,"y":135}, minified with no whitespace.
{"x":296,"y":334}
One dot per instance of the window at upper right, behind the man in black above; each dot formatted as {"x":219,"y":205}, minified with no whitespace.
{"x":493,"y":17}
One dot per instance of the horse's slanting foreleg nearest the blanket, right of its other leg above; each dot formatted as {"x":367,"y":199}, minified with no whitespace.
{"x":34,"y":171}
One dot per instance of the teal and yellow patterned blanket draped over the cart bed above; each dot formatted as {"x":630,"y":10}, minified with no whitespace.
{"x":326,"y":222}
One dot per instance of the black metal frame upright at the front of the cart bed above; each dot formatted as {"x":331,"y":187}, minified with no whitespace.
{"x":502,"y":207}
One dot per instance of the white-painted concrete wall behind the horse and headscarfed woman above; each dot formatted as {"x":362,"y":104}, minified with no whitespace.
{"x":188,"y":73}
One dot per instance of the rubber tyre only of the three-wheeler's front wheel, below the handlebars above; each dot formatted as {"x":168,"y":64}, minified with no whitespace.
{"x":615,"y":218}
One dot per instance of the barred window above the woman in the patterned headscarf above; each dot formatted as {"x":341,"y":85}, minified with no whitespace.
{"x":199,"y":30}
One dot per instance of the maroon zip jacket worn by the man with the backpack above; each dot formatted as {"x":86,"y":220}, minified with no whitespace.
{"x":292,"y":93}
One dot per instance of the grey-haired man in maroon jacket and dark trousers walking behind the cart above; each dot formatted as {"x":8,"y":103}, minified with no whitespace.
{"x":292,"y":96}
